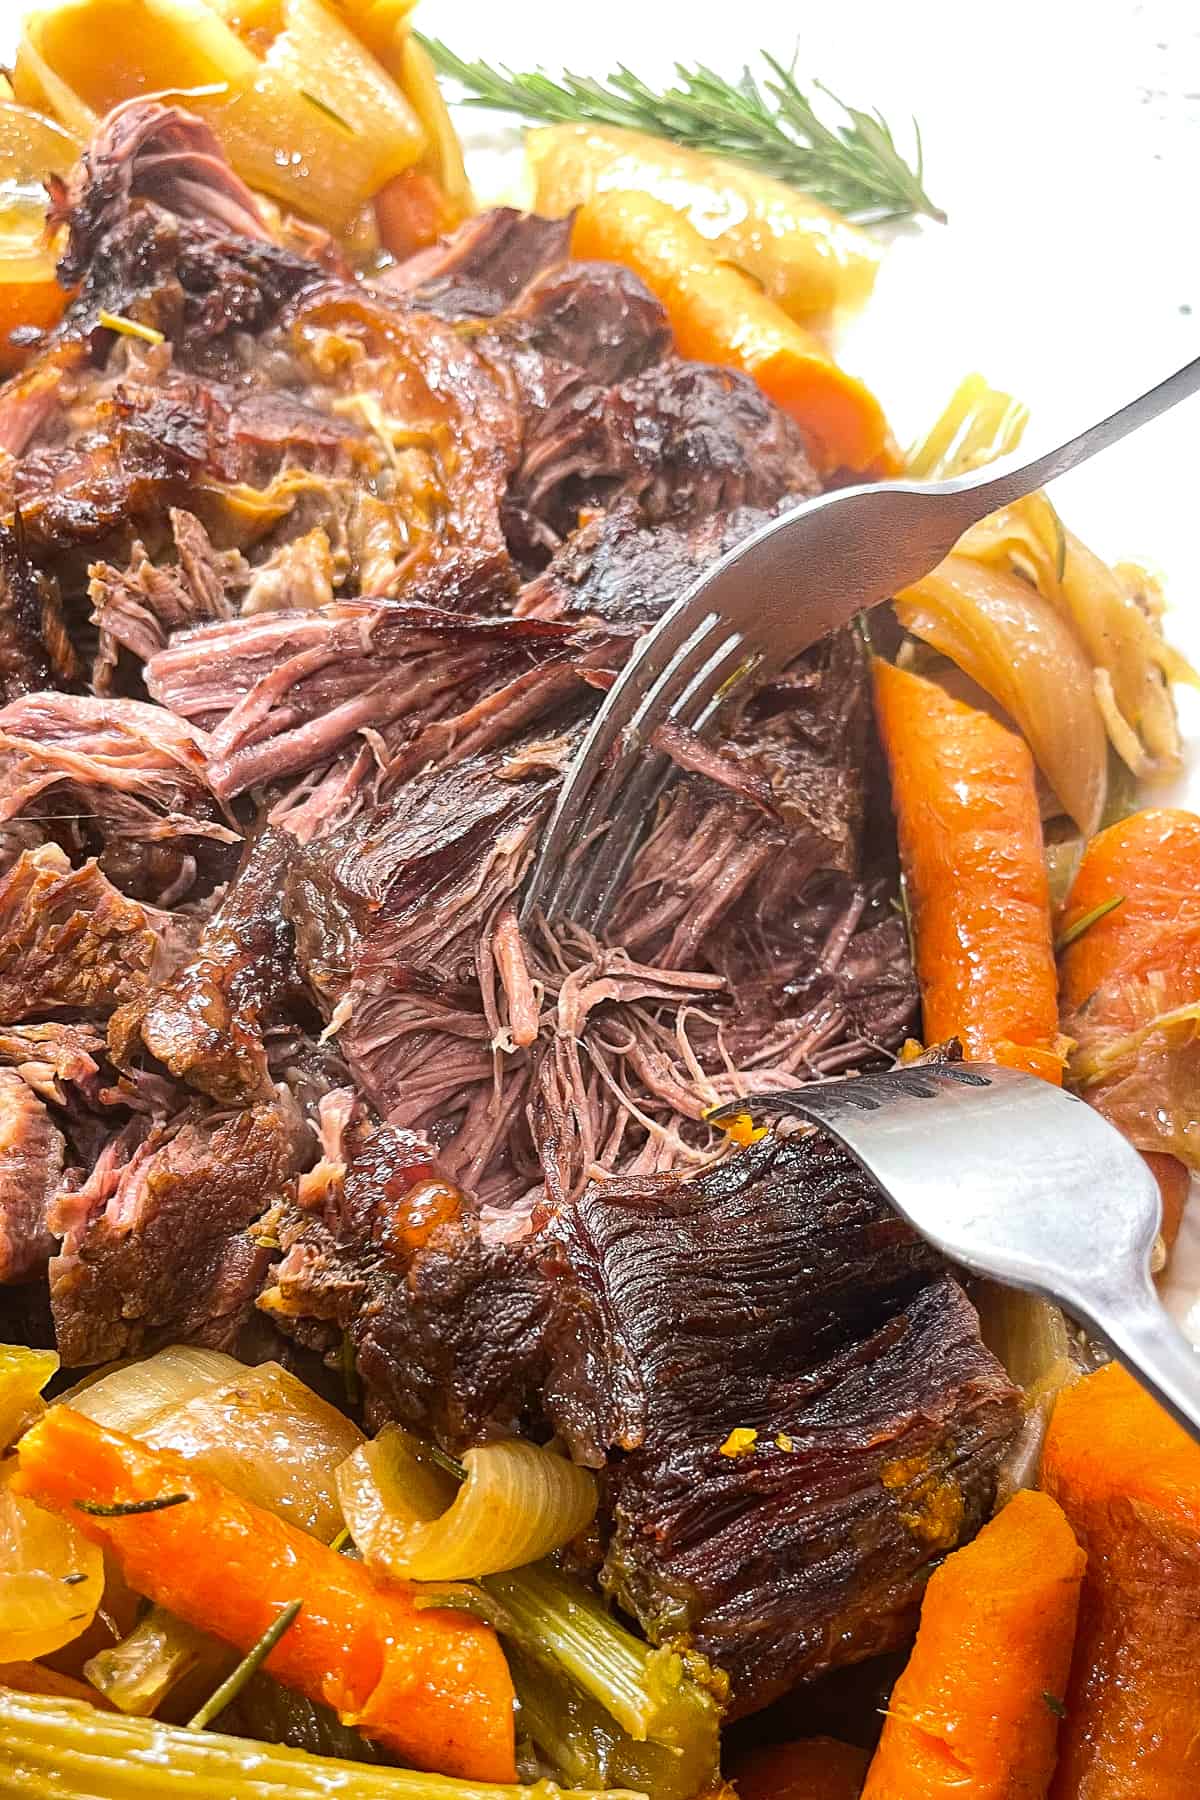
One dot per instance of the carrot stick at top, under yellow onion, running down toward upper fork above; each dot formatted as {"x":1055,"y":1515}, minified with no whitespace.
{"x":719,"y":314}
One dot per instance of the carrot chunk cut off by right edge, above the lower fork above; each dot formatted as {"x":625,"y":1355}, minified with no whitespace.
{"x":1131,"y":978}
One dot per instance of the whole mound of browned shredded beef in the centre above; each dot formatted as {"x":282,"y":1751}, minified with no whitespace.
{"x":276,"y":1043}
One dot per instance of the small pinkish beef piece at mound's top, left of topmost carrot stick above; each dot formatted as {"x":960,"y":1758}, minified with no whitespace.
{"x":483,"y":265}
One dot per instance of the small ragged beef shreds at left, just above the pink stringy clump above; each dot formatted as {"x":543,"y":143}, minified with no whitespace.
{"x":139,"y":607}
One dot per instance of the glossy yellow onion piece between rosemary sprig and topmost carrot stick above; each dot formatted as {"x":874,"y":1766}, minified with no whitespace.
{"x":807,"y":258}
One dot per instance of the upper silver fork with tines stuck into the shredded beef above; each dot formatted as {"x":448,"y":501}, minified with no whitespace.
{"x":773,"y":597}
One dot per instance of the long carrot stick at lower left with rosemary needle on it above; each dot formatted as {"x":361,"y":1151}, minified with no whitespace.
{"x":431,"y":1686}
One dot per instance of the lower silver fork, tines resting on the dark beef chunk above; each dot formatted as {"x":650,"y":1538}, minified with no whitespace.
{"x":1028,"y":1185}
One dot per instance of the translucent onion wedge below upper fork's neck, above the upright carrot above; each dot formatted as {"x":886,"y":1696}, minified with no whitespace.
{"x":1021,"y":651}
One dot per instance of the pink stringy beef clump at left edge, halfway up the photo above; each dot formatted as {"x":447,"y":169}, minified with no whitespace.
{"x":118,"y":775}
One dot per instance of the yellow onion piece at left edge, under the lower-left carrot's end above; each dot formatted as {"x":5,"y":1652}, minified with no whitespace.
{"x":51,"y":1579}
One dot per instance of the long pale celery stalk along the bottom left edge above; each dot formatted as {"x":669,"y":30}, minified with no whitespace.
{"x":73,"y":1752}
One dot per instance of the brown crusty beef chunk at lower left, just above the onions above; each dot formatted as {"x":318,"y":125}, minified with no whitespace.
{"x":159,"y":1250}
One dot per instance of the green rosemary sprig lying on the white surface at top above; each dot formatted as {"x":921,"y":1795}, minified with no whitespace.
{"x":854,"y":166}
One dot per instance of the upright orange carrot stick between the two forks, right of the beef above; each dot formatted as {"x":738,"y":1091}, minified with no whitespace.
{"x":971,"y":845}
